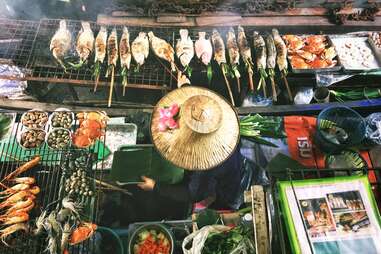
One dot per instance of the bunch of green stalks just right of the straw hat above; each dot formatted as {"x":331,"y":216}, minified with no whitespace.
{"x":254,"y":127}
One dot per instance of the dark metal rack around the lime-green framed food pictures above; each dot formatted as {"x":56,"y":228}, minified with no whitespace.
{"x":280,"y":239}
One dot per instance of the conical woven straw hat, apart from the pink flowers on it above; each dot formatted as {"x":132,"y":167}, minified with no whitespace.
{"x":208,"y":130}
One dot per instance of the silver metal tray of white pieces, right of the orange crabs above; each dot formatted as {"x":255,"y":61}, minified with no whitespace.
{"x":349,"y":69}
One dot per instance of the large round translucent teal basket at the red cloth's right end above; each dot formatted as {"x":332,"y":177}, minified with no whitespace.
{"x":339,"y":121}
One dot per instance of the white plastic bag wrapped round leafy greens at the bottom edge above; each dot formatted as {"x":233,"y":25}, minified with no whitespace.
{"x":199,"y":237}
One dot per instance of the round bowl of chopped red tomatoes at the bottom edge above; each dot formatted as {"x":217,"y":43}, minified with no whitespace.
{"x":151,"y":239}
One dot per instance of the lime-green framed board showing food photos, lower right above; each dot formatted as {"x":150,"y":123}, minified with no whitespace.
{"x":331,"y":216}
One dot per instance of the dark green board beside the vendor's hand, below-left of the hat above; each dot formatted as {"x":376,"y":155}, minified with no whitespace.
{"x":131,"y":162}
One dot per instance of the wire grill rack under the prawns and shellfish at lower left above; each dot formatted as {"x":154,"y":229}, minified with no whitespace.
{"x":48,"y":175}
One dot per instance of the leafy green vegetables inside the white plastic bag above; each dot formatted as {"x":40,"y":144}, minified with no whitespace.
{"x":236,"y":240}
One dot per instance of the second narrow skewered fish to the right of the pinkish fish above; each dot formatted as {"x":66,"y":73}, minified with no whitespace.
{"x":233,"y":52}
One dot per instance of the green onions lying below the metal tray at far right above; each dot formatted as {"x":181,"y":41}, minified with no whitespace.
{"x":356,"y":94}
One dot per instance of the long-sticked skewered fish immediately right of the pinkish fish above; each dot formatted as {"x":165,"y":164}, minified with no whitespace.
{"x":220,"y":58}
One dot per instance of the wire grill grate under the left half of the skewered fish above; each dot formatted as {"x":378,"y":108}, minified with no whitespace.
{"x":153,"y":74}
